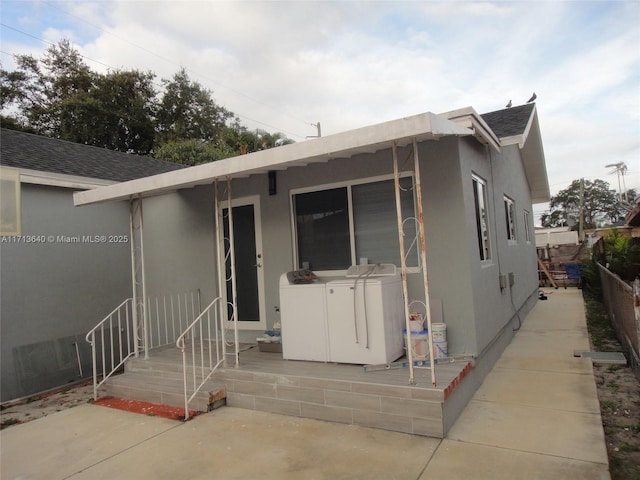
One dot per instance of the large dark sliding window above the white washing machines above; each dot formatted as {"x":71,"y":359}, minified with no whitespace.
{"x":337,"y":227}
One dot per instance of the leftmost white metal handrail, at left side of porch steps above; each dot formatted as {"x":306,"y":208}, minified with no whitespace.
{"x":122,"y":319}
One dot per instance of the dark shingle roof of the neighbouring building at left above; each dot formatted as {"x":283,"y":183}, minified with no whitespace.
{"x":35,"y":152}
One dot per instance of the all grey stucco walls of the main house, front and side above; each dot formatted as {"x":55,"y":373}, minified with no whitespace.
{"x":474,"y":307}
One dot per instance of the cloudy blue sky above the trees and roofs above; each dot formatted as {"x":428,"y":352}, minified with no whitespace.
{"x":284,"y":65}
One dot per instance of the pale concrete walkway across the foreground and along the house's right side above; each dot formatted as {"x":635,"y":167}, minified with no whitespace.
{"x":535,"y":416}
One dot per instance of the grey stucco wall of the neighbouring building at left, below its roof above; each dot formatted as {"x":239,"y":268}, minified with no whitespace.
{"x":56,"y":289}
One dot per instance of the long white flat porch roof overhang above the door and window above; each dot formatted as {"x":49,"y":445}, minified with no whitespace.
{"x":425,"y":126}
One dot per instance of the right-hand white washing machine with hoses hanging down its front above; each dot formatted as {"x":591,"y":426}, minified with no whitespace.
{"x":365,"y":315}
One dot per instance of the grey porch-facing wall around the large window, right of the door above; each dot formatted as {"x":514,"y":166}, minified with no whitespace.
{"x":449,"y":273}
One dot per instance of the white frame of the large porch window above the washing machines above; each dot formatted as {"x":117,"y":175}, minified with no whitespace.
{"x":330,"y":186}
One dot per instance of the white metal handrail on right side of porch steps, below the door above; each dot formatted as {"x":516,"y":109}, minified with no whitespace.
{"x":202,"y":332}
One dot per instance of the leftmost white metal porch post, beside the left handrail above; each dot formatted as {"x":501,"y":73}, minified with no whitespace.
{"x":138,"y":280}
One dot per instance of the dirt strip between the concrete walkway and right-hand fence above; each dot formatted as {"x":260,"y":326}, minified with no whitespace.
{"x":619,"y":395}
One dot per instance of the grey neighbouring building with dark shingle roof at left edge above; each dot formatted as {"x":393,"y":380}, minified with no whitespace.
{"x":62,"y":268}
